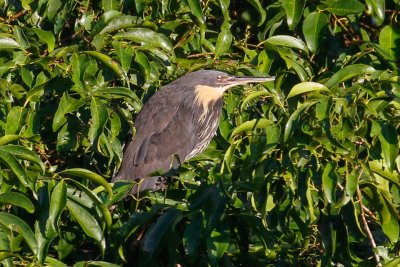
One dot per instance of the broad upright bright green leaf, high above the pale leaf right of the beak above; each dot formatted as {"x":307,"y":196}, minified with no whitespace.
{"x":313,"y":29}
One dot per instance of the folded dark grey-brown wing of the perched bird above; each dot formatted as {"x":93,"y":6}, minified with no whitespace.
{"x":162,"y":131}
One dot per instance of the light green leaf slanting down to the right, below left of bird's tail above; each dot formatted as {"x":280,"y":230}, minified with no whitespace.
{"x":87,"y":221}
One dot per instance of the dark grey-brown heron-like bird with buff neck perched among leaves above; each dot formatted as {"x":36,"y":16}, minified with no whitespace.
{"x":177,"y":123}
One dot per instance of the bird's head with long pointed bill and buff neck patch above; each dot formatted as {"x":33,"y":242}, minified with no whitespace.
{"x":210,"y":85}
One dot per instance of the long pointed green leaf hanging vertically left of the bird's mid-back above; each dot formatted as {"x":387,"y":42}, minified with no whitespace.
{"x":98,"y":120}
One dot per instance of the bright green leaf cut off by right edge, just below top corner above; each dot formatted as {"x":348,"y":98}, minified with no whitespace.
{"x":389,"y":38}
